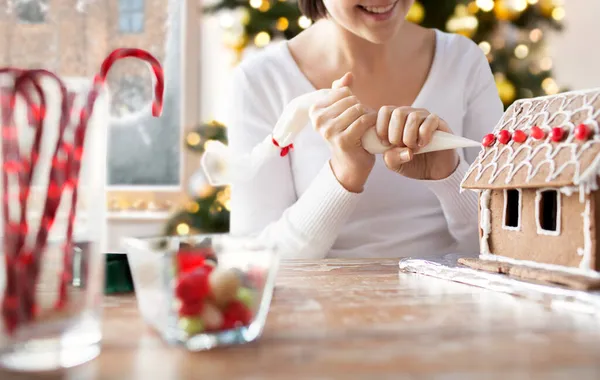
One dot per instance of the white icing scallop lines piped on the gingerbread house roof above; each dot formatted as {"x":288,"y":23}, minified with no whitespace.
{"x":523,"y":119}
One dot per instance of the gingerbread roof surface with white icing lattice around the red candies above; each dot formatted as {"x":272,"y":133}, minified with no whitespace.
{"x":517,"y":157}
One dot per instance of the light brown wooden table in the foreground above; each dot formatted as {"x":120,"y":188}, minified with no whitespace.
{"x":362,"y":319}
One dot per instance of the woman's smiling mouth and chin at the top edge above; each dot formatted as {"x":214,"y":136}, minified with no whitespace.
{"x":376,"y":21}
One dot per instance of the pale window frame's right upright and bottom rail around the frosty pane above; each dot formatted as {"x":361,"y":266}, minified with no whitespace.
{"x":132,"y":202}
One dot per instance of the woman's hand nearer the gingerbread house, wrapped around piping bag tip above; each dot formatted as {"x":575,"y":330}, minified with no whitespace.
{"x":407,"y":130}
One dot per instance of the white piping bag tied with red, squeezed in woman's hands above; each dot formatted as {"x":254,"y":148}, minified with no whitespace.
{"x":223,"y":166}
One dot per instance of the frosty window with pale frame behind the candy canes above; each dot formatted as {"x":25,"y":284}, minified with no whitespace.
{"x":148,"y":166}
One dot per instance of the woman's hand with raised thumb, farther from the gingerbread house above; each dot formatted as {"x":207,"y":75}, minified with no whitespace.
{"x":342,"y":121}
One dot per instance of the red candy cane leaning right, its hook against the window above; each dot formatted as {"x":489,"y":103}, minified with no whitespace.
{"x":74,"y":164}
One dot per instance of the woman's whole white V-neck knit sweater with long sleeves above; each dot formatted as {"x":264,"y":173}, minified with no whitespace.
{"x":296,"y":202}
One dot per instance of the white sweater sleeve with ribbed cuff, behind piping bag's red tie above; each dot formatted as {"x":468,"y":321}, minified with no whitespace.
{"x":267,"y":206}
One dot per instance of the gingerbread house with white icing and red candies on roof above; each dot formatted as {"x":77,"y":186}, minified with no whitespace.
{"x":536,"y":176}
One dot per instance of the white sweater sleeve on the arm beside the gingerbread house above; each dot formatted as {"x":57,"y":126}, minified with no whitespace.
{"x":483,"y":110}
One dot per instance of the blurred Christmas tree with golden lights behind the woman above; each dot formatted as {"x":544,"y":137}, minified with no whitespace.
{"x":509,"y":32}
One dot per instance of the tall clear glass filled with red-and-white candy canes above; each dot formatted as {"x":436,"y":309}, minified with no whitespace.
{"x":53,"y":222}
